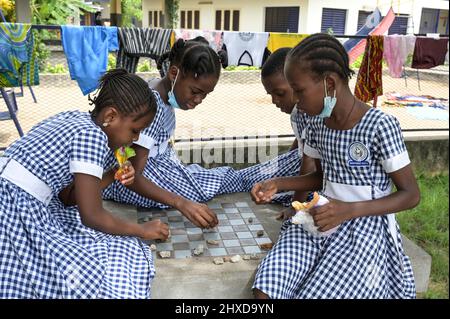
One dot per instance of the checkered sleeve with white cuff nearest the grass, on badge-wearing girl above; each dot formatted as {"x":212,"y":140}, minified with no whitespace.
{"x":390,"y":148}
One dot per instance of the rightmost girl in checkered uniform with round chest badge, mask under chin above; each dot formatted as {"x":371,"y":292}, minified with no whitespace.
{"x":360,"y":154}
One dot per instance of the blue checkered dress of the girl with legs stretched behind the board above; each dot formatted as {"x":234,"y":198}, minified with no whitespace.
{"x":192,"y":181}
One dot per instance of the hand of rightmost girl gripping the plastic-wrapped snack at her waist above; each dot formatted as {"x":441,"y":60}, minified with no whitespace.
{"x":331,"y":215}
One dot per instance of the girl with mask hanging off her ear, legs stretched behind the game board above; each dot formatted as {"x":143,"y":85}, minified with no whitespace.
{"x":162,"y":180}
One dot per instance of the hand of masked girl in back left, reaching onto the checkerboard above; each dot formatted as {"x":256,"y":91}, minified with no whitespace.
{"x":199,"y":214}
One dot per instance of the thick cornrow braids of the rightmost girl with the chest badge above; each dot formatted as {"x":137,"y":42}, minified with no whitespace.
{"x":324,"y":53}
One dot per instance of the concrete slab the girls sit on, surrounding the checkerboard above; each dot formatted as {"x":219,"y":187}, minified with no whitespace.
{"x":200,"y":278}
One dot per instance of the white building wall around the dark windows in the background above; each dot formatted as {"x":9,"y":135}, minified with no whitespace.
{"x":252,"y":11}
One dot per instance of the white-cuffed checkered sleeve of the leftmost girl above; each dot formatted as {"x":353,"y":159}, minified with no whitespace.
{"x":88,"y":152}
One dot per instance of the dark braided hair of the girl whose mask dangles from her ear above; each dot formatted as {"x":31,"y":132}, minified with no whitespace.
{"x":193,"y":56}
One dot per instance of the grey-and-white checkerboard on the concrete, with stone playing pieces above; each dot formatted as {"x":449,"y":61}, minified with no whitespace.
{"x":238,"y":232}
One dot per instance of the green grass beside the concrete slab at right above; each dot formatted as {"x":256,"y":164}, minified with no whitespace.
{"x":427,"y":226}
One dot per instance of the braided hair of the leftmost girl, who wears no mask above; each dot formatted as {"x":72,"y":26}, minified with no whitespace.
{"x":125,"y":91}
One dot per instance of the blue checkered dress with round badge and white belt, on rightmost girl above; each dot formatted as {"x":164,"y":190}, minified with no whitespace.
{"x":364,"y":258}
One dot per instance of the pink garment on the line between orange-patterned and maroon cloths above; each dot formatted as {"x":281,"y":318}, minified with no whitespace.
{"x":396,"y":51}
